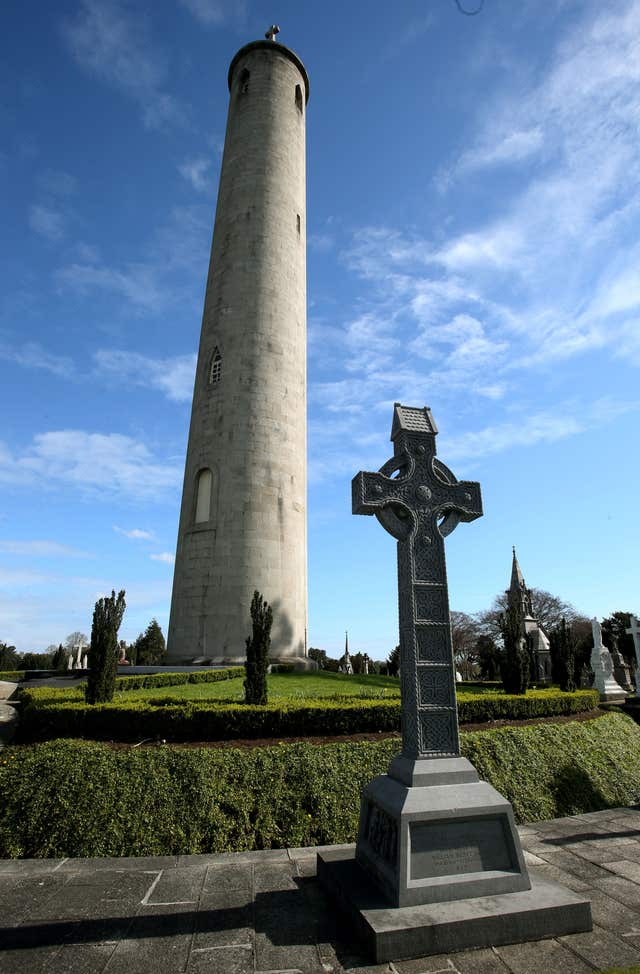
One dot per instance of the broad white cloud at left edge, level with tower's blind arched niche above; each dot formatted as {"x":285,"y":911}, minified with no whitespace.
{"x":96,"y":463}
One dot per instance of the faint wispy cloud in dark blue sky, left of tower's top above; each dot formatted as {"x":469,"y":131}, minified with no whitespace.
{"x":110,"y":41}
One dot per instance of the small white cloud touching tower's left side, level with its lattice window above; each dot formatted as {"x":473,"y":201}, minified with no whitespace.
{"x":172,"y":376}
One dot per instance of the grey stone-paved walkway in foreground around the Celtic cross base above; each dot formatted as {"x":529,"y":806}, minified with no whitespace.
{"x":259,"y":912}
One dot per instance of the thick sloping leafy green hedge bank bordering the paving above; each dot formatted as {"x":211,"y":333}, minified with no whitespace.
{"x":87,"y":799}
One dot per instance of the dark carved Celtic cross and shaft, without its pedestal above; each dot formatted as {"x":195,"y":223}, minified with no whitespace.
{"x":418,"y":500}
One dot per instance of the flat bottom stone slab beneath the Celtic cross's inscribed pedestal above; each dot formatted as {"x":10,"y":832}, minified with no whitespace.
{"x":400,"y":933}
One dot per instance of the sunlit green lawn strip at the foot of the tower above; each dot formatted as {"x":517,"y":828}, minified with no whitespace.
{"x":296,"y":685}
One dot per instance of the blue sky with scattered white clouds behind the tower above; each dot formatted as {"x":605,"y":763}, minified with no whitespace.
{"x":473,"y":201}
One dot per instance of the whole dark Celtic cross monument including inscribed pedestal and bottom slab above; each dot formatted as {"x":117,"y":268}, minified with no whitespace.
{"x":431,"y":832}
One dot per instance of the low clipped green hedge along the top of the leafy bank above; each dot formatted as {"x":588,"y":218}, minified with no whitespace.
{"x":49,"y":712}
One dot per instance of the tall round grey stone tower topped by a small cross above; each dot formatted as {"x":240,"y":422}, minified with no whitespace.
{"x":243,"y":523}
